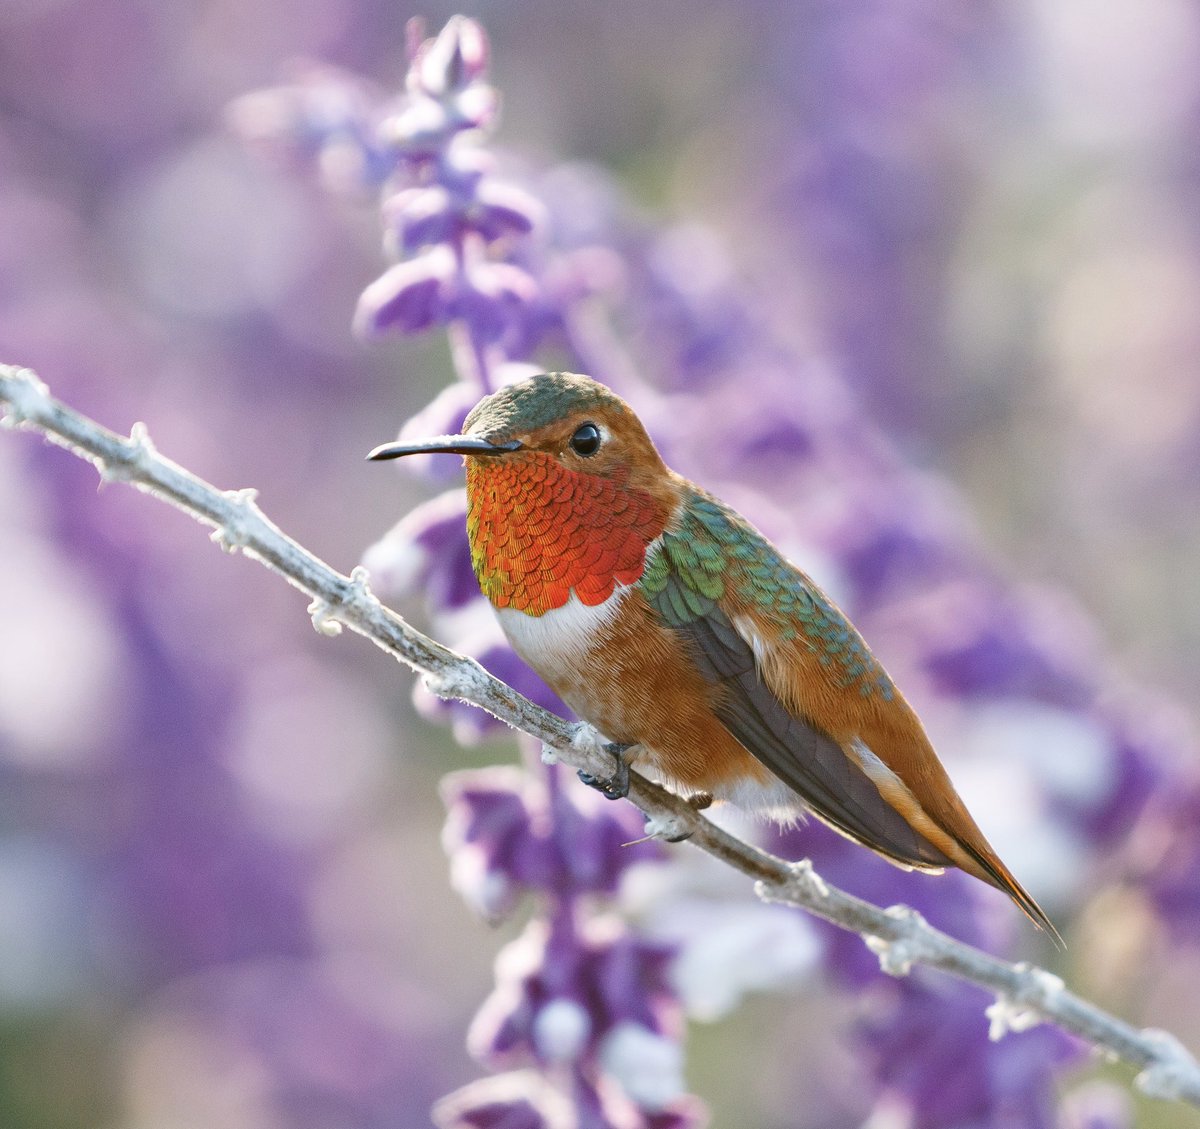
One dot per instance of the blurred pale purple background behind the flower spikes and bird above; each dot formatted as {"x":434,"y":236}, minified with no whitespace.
{"x":223,"y":897}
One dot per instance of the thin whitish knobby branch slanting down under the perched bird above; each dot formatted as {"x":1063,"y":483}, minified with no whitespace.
{"x":901,"y":938}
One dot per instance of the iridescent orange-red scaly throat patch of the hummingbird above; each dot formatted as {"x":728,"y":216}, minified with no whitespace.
{"x":541,"y":532}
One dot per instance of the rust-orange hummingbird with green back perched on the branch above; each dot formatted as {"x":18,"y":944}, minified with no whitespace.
{"x":688,"y":640}
